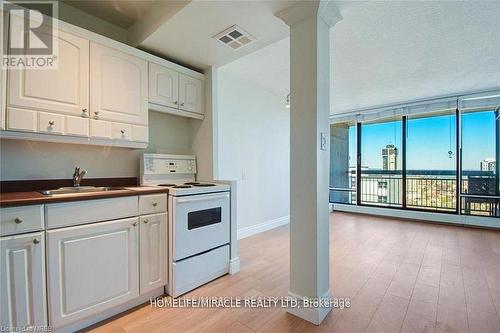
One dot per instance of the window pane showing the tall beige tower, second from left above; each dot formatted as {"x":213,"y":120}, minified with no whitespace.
{"x":381,"y":167}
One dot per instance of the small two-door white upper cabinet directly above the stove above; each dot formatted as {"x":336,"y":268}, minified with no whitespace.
{"x":174,"y":92}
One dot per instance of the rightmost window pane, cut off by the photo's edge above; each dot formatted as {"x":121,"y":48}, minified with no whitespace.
{"x":480,"y":153}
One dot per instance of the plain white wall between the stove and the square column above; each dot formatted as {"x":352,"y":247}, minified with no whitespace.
{"x":254,"y":149}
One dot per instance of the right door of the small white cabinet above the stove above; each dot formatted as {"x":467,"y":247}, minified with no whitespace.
{"x":190,"y":94}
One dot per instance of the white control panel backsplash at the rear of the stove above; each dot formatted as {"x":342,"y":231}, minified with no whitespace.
{"x":162,"y":164}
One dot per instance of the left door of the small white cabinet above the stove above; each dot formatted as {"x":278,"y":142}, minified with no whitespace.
{"x":163,"y":86}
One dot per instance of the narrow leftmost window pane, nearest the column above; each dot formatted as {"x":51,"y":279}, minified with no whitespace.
{"x":343,"y":169}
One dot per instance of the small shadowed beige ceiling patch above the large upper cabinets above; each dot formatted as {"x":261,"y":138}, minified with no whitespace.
{"x":118,"y":12}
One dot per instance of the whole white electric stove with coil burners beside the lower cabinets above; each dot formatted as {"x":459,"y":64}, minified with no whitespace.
{"x":199,"y":221}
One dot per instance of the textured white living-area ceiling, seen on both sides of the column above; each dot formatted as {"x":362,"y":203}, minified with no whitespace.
{"x":389,"y":52}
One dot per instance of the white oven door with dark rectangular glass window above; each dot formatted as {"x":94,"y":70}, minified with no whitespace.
{"x":200,"y":223}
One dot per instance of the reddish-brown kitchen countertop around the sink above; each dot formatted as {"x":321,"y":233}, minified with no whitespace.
{"x":34,"y":198}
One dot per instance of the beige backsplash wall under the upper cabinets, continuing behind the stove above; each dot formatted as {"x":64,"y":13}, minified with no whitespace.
{"x":21,"y":159}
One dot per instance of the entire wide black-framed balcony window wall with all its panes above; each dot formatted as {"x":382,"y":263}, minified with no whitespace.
{"x":441,"y":155}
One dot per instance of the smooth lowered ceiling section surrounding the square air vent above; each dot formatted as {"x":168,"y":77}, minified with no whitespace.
{"x":187,"y":36}
